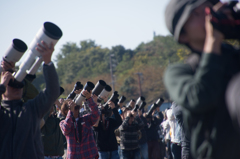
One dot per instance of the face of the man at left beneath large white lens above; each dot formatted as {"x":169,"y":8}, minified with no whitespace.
{"x":12,"y":93}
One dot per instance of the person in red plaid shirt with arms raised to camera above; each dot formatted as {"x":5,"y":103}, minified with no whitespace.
{"x":78,"y":129}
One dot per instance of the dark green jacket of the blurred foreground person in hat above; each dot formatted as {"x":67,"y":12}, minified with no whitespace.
{"x":199,"y":87}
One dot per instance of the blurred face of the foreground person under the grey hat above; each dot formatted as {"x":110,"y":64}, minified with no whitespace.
{"x":194,"y":28}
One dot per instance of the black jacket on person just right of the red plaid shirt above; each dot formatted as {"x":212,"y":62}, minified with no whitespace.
{"x":105,"y":137}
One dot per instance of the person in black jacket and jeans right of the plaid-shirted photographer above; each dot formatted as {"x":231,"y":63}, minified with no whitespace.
{"x":104,"y":131}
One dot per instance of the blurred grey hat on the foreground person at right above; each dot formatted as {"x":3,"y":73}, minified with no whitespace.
{"x":177,"y":13}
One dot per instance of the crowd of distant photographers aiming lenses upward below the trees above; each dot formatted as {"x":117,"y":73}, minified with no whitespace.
{"x":103,"y":127}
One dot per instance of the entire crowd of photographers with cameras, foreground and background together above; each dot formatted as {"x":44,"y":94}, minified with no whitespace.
{"x":202,"y":122}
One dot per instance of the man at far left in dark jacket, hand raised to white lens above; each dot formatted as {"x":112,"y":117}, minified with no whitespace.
{"x":20,"y":134}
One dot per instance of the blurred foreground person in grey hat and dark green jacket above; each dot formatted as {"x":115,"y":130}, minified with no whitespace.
{"x":199,"y":85}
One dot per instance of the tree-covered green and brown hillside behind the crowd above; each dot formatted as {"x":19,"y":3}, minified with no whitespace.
{"x":91,"y":62}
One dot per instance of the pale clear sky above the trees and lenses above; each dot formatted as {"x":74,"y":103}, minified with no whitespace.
{"x":107,"y":22}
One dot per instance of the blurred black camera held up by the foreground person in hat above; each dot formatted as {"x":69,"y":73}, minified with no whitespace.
{"x":230,"y":28}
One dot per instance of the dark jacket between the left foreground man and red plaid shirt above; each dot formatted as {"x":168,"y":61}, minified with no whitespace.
{"x":52,"y":137}
